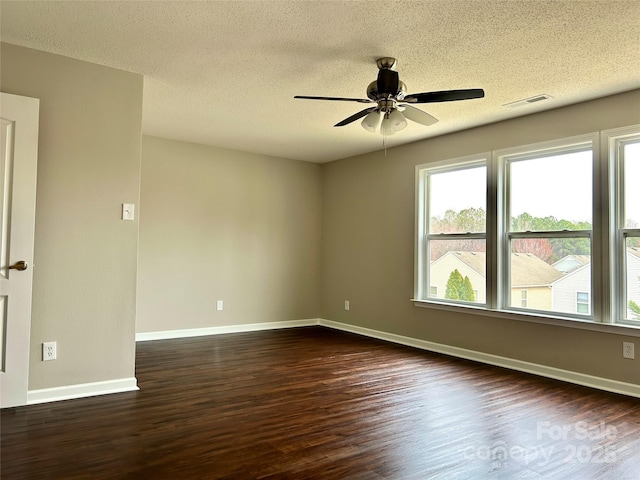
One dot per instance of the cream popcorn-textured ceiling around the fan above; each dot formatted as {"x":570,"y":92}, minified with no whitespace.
{"x":224,"y":73}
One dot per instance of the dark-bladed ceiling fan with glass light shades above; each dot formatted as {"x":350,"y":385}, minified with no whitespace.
{"x":393,"y":104}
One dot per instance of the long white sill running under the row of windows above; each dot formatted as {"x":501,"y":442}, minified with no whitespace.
{"x":617,"y":328}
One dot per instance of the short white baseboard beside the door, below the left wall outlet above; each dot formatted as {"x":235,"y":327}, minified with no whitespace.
{"x":81,"y":390}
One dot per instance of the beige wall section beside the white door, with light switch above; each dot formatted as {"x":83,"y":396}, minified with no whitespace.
{"x":85,"y":256}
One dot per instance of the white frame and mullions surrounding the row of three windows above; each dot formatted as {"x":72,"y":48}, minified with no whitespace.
{"x":606,"y":238}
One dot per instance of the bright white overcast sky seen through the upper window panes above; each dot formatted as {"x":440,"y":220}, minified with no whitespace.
{"x":558,"y":186}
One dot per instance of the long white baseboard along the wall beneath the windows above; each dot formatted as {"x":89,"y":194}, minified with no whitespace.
{"x":600,"y":383}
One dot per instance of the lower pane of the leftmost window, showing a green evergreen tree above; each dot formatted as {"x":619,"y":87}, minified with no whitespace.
{"x":458,"y":270}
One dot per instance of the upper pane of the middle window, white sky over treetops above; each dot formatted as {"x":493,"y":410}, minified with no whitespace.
{"x":551,"y":193}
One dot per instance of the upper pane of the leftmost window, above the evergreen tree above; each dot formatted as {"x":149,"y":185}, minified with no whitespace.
{"x":457,"y":201}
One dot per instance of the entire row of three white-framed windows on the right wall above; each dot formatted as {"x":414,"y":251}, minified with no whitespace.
{"x":551,"y":229}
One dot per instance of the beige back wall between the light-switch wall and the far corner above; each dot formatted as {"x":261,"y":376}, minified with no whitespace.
{"x":223,"y":225}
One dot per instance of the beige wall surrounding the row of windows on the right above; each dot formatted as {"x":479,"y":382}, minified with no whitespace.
{"x":368,"y":245}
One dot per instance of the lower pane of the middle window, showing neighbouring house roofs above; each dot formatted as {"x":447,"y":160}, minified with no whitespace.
{"x":553,"y":283}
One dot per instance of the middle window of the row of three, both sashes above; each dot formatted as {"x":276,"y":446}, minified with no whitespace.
{"x":547,"y":205}
